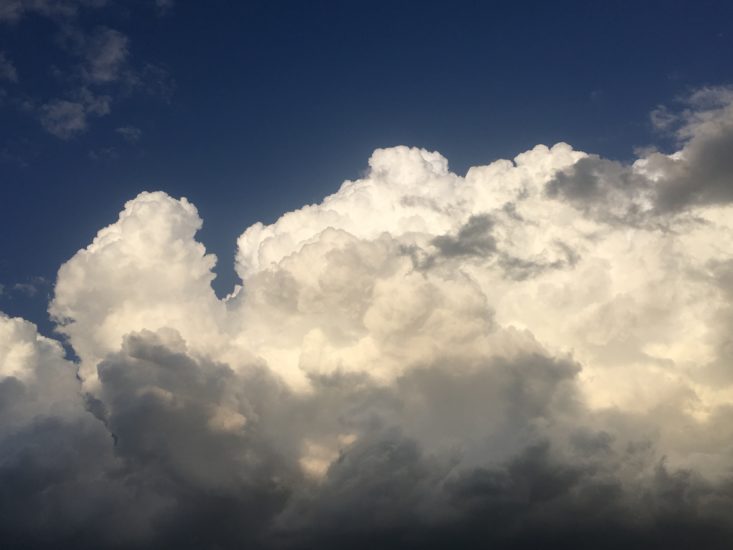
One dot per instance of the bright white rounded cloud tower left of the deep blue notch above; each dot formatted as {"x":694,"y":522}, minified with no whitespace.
{"x":144,"y":271}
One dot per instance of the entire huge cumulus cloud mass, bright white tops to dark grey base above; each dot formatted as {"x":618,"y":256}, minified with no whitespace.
{"x":535,"y":353}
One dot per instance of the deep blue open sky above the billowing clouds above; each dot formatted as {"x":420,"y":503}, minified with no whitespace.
{"x":251,"y":109}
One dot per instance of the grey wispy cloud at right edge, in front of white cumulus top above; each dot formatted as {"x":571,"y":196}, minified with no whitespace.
{"x":699,"y":173}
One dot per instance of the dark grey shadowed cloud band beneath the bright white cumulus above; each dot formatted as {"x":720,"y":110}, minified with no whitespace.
{"x":182,"y":452}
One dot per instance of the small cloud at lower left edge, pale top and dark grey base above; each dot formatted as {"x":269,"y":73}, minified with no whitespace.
{"x":50,"y":445}
